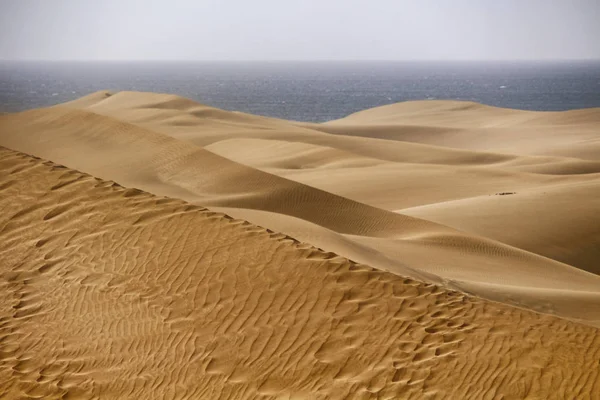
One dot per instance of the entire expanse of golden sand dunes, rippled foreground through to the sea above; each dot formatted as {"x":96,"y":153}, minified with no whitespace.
{"x":154,"y":247}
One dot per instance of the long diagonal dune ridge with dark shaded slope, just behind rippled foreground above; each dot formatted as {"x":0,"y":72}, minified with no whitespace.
{"x":144,"y":158}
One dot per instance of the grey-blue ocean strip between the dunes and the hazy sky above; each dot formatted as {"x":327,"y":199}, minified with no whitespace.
{"x":309,"y":91}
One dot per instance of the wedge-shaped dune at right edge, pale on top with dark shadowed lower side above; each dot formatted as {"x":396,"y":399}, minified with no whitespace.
{"x":565,"y":228}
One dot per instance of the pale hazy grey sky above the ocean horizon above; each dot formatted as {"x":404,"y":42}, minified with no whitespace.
{"x":299,"y":29}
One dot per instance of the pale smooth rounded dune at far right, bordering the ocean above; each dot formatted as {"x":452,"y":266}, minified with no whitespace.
{"x":475,"y":126}
